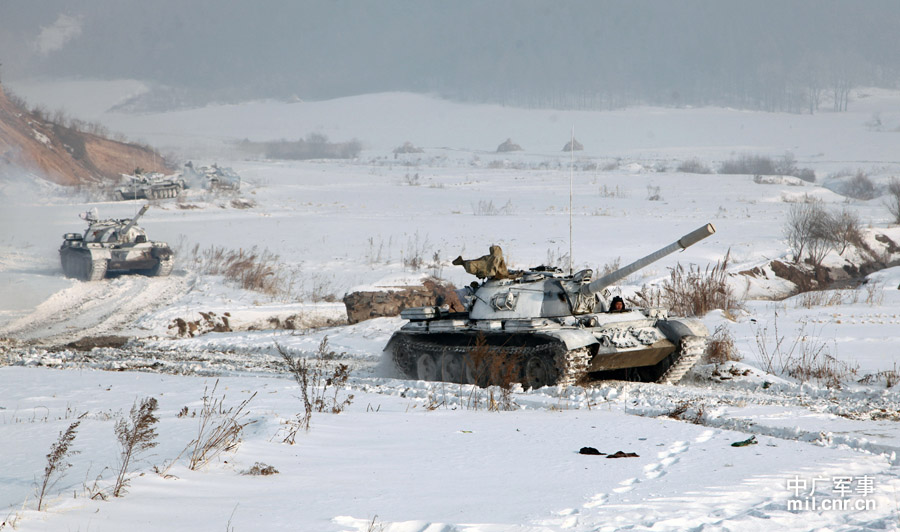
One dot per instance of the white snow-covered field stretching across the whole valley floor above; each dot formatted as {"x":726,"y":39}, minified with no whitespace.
{"x":414,"y":456}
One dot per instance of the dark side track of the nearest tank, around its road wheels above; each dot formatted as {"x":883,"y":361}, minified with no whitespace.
{"x":568,"y":367}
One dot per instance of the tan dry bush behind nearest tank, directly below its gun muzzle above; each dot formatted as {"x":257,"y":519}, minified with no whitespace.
{"x":695,"y":292}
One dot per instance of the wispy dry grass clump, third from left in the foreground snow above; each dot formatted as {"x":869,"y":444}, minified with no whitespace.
{"x":218,"y":430}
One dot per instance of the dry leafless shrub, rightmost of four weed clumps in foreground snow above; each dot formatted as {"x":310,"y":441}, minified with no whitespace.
{"x":314,"y":378}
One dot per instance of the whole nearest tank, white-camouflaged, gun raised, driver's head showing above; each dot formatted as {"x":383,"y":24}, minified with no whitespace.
{"x":541,"y":327}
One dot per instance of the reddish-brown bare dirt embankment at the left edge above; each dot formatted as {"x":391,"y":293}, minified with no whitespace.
{"x":64,"y":155}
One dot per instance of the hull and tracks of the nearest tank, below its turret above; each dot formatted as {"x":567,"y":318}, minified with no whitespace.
{"x":464,"y":352}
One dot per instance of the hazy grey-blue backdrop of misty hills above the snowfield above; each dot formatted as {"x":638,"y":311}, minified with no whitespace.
{"x":656,"y":50}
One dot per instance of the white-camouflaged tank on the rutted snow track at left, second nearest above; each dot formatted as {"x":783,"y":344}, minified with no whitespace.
{"x":113,"y":246}
